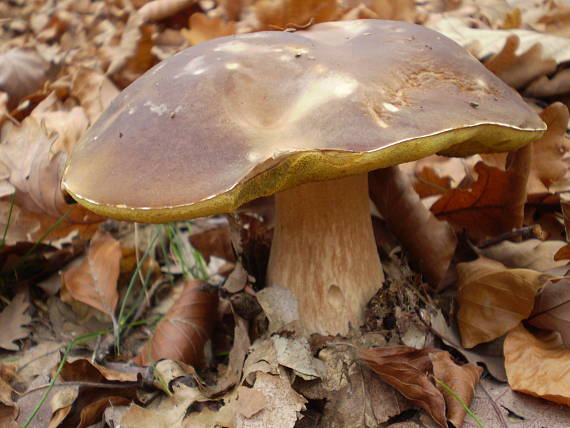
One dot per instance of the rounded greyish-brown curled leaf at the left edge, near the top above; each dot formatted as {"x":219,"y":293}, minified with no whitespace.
{"x":22,"y":72}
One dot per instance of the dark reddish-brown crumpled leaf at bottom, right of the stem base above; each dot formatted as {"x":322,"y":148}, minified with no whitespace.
{"x":405,"y":369}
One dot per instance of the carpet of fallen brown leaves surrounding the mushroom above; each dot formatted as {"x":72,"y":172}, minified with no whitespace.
{"x":113,"y":324}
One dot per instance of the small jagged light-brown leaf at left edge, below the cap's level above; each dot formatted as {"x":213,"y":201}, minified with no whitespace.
{"x":14,"y":320}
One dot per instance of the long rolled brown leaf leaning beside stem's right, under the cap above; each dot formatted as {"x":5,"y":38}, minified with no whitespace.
{"x":430,"y":242}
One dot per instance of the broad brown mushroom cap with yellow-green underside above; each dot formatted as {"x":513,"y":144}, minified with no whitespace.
{"x":241,"y":117}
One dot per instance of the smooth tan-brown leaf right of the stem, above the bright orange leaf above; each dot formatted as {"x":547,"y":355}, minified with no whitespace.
{"x":493,"y":299}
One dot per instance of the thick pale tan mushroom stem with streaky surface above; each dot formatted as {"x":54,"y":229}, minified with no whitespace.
{"x":324,"y":251}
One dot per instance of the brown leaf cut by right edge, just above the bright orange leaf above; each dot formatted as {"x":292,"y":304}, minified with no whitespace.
{"x":552,"y":309}
